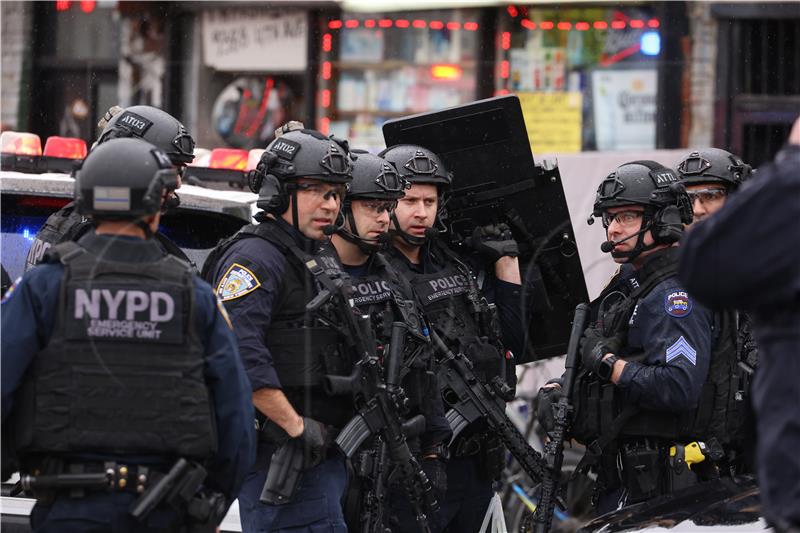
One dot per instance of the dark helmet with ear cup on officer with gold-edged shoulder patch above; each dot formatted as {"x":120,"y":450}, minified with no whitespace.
{"x":299,"y":153}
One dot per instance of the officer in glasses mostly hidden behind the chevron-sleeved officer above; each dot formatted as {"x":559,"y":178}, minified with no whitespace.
{"x":710,"y":175}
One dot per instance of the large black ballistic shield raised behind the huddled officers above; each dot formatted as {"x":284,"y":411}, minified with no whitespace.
{"x":495,"y":179}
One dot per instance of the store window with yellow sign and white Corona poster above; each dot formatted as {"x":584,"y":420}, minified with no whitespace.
{"x":586,"y":76}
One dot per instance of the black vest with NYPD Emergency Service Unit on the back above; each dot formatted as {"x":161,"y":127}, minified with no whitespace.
{"x":123,"y":372}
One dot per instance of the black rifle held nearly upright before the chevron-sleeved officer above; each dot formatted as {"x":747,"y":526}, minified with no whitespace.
{"x":562,"y":416}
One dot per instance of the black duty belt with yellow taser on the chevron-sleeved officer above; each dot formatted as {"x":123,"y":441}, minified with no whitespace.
{"x":653,"y":467}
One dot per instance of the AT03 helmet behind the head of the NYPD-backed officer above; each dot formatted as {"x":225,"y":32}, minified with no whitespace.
{"x":154,"y":126}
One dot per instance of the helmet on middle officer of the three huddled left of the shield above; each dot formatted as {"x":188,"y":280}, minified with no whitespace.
{"x":374,"y":178}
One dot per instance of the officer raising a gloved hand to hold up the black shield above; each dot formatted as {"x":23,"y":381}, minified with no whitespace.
{"x":456,"y":307}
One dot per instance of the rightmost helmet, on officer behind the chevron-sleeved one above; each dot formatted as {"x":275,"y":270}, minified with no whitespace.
{"x":712,"y":165}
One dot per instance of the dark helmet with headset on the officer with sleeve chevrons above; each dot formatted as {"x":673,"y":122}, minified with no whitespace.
{"x":656,"y":188}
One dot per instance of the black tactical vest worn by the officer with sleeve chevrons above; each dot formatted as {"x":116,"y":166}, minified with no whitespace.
{"x":599,"y":406}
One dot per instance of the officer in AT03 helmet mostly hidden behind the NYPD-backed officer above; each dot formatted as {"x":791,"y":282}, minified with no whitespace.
{"x":142,"y":121}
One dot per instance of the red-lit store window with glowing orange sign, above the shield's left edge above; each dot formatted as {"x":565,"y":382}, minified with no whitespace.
{"x":374,"y":67}
